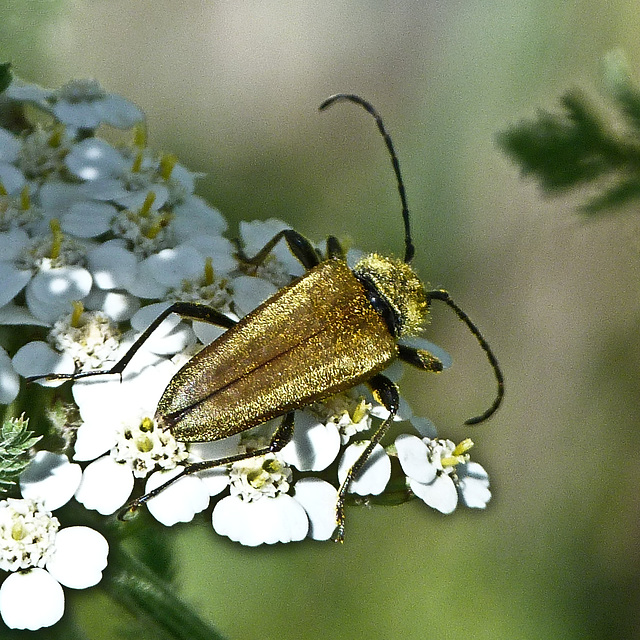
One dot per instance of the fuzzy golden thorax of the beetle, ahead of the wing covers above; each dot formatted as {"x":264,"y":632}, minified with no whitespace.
{"x":398,"y":284}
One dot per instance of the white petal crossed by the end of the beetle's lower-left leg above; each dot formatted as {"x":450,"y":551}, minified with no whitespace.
{"x":180,"y":501}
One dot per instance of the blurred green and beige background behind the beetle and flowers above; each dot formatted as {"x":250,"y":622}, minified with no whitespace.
{"x":232,"y":89}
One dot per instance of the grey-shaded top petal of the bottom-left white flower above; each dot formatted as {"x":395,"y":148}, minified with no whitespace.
{"x":50,"y":478}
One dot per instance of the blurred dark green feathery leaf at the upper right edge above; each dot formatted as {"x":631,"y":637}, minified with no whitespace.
{"x":580,"y":146}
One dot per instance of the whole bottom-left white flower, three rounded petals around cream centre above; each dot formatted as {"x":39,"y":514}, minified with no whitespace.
{"x":39,"y":554}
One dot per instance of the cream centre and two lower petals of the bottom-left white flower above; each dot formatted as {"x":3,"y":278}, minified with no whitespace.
{"x":41,"y":557}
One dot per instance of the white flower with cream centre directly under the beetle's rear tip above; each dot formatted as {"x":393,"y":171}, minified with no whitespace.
{"x":118,"y":421}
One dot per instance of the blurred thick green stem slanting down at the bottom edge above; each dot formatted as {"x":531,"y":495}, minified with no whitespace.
{"x":140,"y":590}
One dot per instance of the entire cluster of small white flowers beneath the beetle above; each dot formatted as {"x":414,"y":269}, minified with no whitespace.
{"x":96,"y":239}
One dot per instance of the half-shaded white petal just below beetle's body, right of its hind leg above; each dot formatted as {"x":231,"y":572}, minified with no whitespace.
{"x":314,"y":445}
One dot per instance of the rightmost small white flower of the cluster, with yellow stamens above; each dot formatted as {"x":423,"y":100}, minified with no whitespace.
{"x":438,"y":471}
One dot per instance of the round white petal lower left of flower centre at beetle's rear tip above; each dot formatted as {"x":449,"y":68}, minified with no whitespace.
{"x":106,"y":485}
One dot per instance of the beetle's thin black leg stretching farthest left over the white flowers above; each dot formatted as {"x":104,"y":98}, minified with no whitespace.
{"x":191,"y":310}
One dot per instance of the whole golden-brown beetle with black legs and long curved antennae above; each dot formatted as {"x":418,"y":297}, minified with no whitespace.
{"x":325,"y":332}
